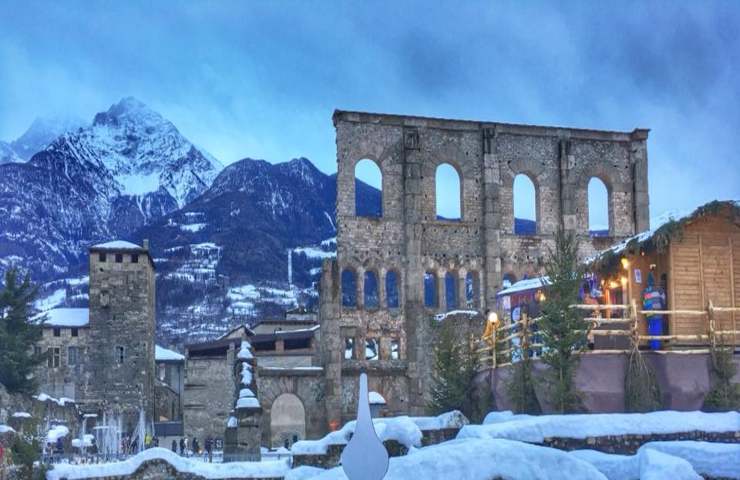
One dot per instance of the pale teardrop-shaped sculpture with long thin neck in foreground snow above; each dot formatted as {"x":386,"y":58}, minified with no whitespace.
{"x":365,"y":456}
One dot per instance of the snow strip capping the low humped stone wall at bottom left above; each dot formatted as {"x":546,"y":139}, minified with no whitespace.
{"x":265,"y":469}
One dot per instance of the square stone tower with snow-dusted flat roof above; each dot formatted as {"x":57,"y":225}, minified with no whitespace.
{"x":122,"y":331}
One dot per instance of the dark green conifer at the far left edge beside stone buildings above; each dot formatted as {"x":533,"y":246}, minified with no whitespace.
{"x":18,"y":335}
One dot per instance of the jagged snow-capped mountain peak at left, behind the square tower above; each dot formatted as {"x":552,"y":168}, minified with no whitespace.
{"x":128,"y":168}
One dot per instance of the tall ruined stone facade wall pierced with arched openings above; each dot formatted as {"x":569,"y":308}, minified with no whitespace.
{"x":410,"y":240}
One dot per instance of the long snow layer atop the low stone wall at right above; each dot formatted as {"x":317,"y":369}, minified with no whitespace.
{"x":536,"y":428}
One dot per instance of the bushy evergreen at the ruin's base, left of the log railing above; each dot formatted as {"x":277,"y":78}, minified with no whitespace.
{"x":454,"y":372}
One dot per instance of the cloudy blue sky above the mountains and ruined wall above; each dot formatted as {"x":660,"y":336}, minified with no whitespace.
{"x":261,"y":79}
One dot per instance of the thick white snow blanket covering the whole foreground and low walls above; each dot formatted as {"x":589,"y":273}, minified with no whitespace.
{"x":498,"y":448}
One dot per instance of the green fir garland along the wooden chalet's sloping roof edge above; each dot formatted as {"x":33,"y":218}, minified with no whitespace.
{"x":608,"y":262}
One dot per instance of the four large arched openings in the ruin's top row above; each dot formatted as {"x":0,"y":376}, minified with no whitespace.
{"x":448,"y":198}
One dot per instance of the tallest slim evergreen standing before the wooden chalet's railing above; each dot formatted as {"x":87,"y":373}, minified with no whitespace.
{"x":562,"y":328}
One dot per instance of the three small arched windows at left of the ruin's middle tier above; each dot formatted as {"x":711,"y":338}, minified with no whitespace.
{"x":371,"y":293}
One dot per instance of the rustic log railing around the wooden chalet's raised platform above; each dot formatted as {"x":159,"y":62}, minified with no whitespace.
{"x":509,"y":343}
